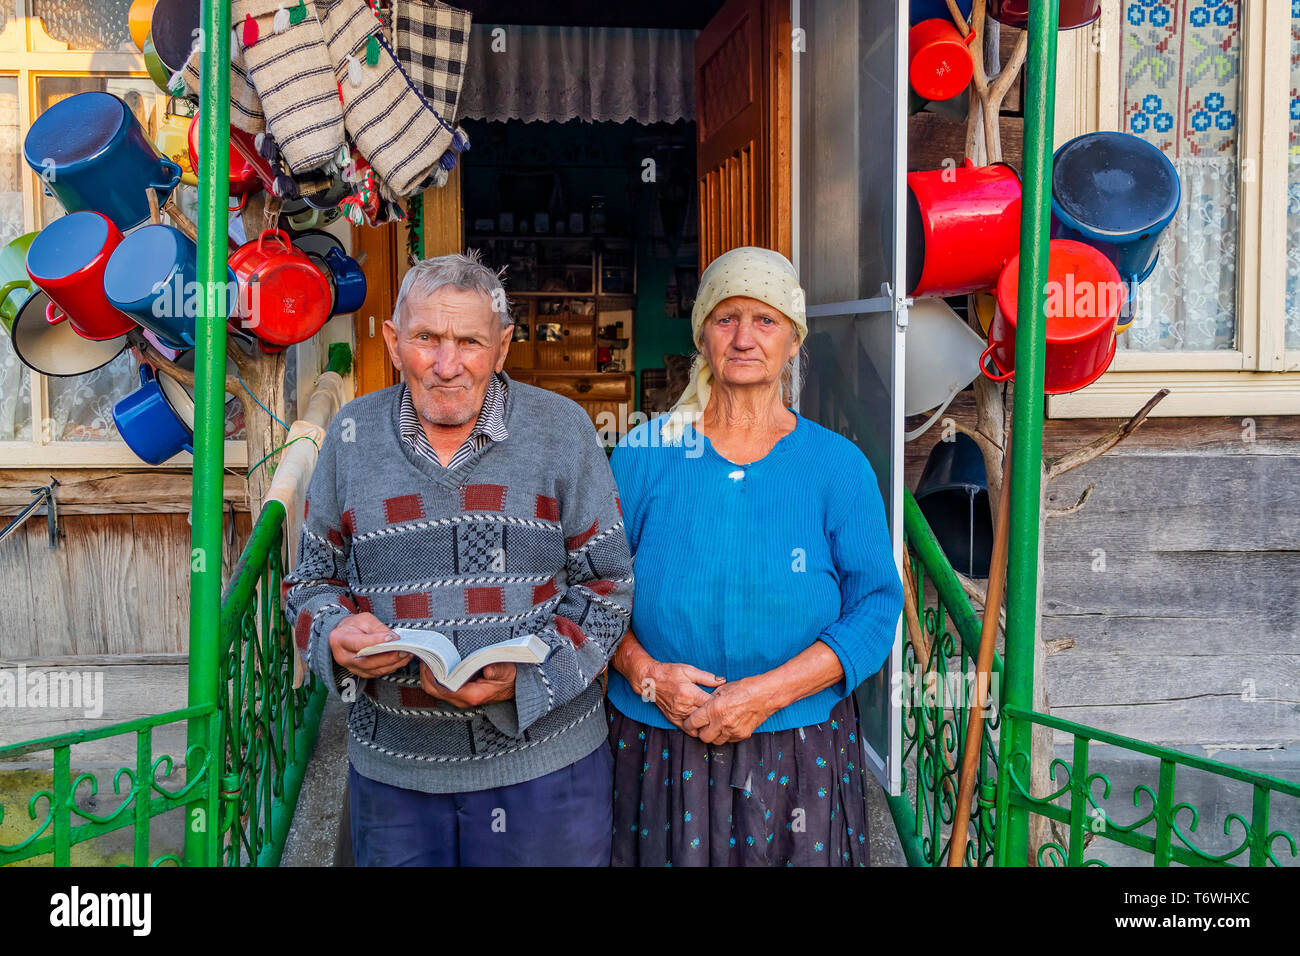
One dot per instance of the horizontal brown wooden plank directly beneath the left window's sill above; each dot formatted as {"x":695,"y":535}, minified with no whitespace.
{"x":111,"y":491}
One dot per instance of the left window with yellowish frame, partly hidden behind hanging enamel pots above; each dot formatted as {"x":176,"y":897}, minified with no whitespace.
{"x":85,"y":47}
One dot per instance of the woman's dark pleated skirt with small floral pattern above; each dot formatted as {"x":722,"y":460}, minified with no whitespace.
{"x":794,"y":798}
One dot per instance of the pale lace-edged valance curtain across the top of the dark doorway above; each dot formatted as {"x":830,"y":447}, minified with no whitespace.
{"x":560,"y":73}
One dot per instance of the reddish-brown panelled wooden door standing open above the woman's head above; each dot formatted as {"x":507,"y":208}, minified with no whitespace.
{"x":743,"y":113}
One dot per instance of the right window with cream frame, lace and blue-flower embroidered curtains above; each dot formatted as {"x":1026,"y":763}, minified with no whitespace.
{"x":1207,"y":81}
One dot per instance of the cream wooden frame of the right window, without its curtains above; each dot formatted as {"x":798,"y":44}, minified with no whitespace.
{"x":1260,"y":377}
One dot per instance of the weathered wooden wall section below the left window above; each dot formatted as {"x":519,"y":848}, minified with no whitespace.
{"x":120,"y":581}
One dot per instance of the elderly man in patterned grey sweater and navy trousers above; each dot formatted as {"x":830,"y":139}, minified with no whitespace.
{"x":484,"y":509}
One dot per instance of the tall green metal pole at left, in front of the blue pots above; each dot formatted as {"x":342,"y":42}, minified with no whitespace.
{"x":210,"y":371}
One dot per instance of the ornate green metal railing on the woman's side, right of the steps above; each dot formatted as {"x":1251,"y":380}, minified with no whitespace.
{"x":1164,"y":828}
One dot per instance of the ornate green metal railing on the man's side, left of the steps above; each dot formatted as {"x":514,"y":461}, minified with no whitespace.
{"x":240,"y":785}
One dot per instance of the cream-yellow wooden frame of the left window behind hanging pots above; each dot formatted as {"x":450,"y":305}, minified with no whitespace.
{"x":31,"y":54}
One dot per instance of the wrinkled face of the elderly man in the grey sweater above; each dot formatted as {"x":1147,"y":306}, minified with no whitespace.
{"x":448,"y":349}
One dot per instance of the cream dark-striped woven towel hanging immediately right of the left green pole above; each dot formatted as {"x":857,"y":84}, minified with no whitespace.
{"x":293,"y":76}
